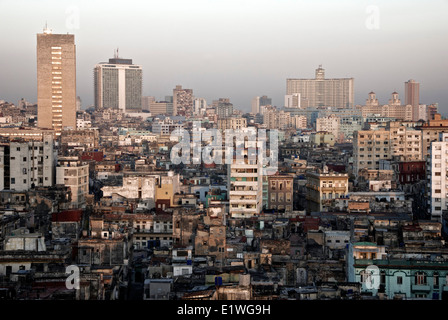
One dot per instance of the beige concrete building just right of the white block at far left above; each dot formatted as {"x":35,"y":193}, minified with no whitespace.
{"x":74,"y":173}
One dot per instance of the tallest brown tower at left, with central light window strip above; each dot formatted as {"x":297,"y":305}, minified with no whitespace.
{"x":56,"y":81}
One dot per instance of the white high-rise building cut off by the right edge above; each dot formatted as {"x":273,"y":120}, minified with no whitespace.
{"x":438,"y":179}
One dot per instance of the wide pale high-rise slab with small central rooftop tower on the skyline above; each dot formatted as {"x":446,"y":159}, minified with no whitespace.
{"x":322,"y":92}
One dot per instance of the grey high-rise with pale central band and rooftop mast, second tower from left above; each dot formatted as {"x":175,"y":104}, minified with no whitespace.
{"x":118,"y":85}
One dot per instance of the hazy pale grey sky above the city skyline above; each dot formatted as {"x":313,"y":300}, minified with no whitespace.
{"x":237,"y":49}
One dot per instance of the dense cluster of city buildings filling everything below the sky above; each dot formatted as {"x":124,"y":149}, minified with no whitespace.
{"x":355,"y":208}
